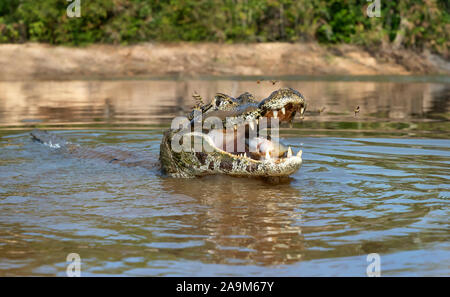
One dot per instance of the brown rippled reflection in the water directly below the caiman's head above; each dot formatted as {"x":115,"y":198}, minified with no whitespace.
{"x":247,"y":222}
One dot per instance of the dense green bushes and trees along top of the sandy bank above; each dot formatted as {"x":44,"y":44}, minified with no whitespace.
{"x":415,"y":24}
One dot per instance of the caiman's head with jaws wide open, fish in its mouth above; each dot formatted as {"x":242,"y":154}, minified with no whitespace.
{"x":233,"y":136}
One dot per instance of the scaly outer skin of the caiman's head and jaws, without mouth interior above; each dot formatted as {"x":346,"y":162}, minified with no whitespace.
{"x":213,"y":160}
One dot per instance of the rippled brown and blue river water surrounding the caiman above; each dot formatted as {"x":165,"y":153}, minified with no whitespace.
{"x":377,"y":182}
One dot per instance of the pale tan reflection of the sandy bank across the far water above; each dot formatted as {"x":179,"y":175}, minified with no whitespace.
{"x":158,"y":101}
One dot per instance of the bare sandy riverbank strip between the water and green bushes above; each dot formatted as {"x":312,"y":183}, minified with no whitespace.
{"x":45,"y":62}
